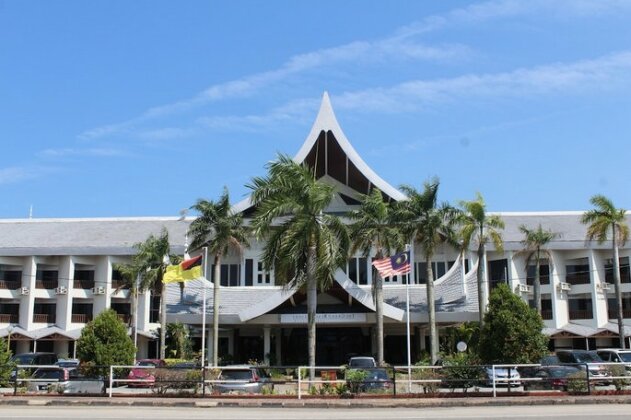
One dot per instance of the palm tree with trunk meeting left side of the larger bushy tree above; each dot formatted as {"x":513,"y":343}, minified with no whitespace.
{"x":477,"y":225}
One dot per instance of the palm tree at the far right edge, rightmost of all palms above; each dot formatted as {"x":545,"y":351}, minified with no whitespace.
{"x":602,"y":221}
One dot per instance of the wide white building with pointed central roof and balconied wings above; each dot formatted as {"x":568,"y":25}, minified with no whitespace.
{"x":57,"y":274}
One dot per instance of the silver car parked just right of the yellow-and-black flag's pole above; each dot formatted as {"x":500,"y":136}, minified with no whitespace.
{"x":243,"y":379}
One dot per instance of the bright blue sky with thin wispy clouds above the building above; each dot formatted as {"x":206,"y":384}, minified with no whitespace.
{"x":116,"y":108}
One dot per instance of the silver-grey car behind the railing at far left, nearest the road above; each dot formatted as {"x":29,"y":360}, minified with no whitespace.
{"x":65,"y":380}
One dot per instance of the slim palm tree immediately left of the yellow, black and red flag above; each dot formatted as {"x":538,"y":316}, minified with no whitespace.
{"x":151,"y":260}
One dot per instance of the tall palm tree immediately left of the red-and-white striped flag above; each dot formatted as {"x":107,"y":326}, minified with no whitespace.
{"x":374,"y":230}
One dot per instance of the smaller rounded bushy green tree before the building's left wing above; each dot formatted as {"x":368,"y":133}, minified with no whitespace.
{"x":104,"y":341}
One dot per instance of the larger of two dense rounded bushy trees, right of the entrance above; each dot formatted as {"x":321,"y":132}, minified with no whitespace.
{"x":512,"y":330}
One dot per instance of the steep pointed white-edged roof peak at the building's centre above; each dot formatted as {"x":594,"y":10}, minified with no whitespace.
{"x":328,"y":150}
